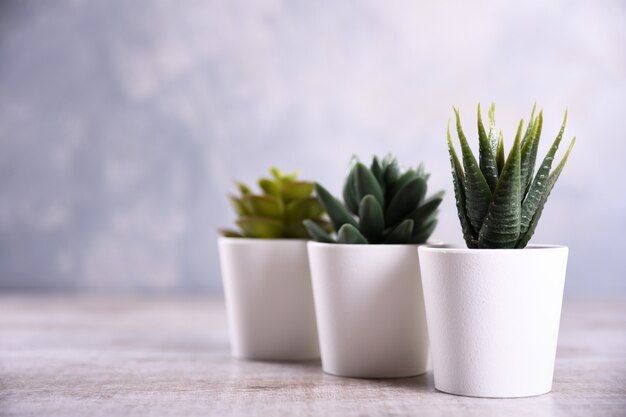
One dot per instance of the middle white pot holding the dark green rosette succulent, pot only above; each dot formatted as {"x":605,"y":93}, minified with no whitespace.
{"x":370,"y":310}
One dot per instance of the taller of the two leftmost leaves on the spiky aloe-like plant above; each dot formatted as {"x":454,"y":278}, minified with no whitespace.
{"x":477,"y":192}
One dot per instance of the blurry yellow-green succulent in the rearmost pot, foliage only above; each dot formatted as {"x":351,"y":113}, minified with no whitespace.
{"x":279,"y":211}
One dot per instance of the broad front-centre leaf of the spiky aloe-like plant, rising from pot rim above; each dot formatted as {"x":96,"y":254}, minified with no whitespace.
{"x":501,"y":228}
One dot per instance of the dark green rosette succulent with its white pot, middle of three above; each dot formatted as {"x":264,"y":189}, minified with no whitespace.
{"x":366,"y":282}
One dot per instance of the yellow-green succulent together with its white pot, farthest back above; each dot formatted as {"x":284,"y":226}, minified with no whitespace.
{"x":265,"y":271}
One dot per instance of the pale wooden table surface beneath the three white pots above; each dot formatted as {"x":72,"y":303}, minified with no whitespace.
{"x":107,"y":356}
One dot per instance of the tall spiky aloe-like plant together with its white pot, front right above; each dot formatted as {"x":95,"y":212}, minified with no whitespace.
{"x":493,"y":309}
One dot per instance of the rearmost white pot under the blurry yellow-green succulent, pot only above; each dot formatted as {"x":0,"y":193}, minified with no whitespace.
{"x":269,"y":300}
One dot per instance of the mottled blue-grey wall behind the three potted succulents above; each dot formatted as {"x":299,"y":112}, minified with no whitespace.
{"x":122,"y":124}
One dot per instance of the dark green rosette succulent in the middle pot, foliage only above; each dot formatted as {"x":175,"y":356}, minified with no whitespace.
{"x":388,"y":203}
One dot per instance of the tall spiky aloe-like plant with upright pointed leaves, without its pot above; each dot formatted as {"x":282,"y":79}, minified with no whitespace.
{"x":500,"y":202}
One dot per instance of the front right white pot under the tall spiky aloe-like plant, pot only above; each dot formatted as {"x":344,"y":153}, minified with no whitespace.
{"x":493,"y":318}
